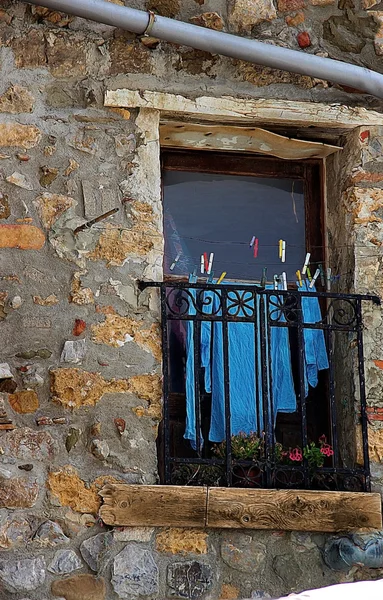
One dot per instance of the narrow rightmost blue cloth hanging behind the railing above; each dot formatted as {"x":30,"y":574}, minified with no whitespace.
{"x":315,"y":346}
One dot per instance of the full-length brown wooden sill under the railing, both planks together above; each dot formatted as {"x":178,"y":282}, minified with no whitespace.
{"x":289,"y":510}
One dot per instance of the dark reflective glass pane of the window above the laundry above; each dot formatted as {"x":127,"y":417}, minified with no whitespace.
{"x":206,"y":212}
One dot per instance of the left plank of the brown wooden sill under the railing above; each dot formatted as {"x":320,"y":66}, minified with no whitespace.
{"x":177,"y":506}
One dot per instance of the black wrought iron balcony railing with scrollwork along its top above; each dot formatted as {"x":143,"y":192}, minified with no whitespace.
{"x":338,"y":403}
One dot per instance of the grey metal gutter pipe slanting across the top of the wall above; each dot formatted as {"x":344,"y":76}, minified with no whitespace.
{"x":217,"y":42}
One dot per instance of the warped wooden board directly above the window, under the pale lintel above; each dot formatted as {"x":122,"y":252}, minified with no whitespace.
{"x":240,"y":139}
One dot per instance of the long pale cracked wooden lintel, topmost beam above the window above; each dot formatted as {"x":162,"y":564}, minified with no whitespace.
{"x":227,"y":108}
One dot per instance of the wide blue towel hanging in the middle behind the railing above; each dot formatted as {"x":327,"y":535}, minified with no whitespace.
{"x":245,"y":388}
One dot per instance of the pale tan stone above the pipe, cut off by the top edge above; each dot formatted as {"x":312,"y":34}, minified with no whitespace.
{"x":244,"y":14}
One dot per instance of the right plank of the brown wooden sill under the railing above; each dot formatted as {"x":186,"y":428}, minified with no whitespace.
{"x":293,"y":510}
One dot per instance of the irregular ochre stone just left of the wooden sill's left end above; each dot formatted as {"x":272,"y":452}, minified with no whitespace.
{"x":70,"y":490}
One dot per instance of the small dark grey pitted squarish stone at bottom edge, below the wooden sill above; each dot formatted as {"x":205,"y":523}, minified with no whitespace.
{"x":189,"y":579}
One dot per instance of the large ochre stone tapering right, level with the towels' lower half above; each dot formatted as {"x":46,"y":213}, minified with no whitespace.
{"x":73,"y":388}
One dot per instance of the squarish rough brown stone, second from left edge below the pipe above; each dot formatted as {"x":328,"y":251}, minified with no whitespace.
{"x":66,"y":55}
